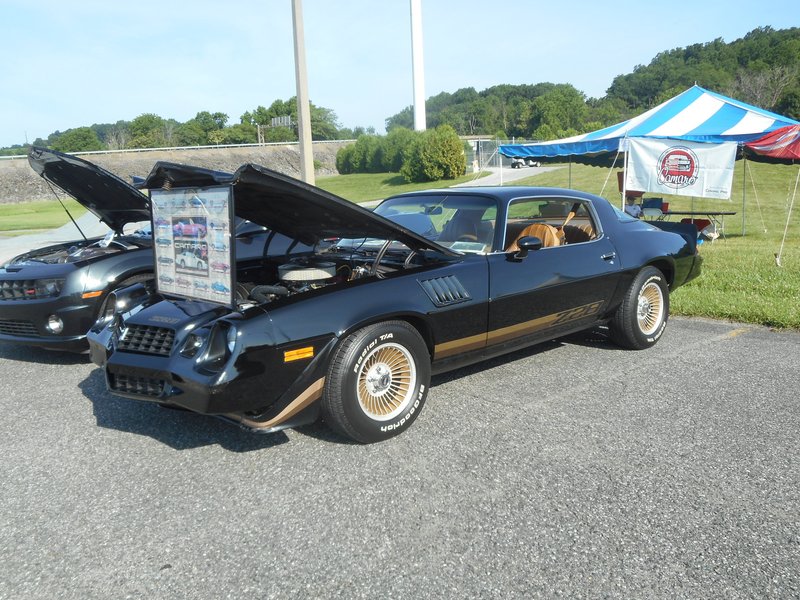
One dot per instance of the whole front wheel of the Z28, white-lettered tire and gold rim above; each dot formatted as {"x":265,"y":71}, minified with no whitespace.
{"x":377,"y":382}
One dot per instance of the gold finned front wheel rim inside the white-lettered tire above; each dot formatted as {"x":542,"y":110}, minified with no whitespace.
{"x":386,"y":381}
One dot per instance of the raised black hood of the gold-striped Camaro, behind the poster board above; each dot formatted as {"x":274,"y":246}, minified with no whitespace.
{"x":289,"y":206}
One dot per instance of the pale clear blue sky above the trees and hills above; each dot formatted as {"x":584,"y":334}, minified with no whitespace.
{"x":72,"y":64}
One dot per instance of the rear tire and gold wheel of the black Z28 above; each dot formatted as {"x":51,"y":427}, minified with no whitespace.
{"x":642,"y":317}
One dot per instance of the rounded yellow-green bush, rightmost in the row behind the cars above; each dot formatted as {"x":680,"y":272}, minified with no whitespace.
{"x":436,"y":154}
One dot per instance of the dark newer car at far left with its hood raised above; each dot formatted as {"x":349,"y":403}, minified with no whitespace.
{"x":50,"y":296}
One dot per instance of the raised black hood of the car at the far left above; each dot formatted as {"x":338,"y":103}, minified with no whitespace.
{"x":114,"y":201}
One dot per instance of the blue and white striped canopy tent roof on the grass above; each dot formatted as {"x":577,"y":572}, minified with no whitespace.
{"x":695,"y":115}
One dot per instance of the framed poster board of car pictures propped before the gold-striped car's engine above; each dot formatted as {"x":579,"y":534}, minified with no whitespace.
{"x":194,"y":249}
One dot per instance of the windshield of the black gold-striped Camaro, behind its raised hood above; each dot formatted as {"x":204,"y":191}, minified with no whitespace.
{"x":460,"y":222}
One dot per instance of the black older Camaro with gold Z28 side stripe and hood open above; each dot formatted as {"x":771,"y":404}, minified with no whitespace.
{"x":351,"y":322}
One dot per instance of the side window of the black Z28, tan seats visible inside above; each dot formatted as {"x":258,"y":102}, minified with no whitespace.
{"x":555,"y":221}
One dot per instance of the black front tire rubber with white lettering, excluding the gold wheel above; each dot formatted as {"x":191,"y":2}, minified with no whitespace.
{"x":365,"y":342}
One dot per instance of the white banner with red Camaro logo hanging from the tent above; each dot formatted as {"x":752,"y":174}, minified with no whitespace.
{"x":681,"y":167}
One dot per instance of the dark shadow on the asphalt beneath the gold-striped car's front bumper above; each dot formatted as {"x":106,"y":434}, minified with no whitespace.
{"x":178,"y":429}
